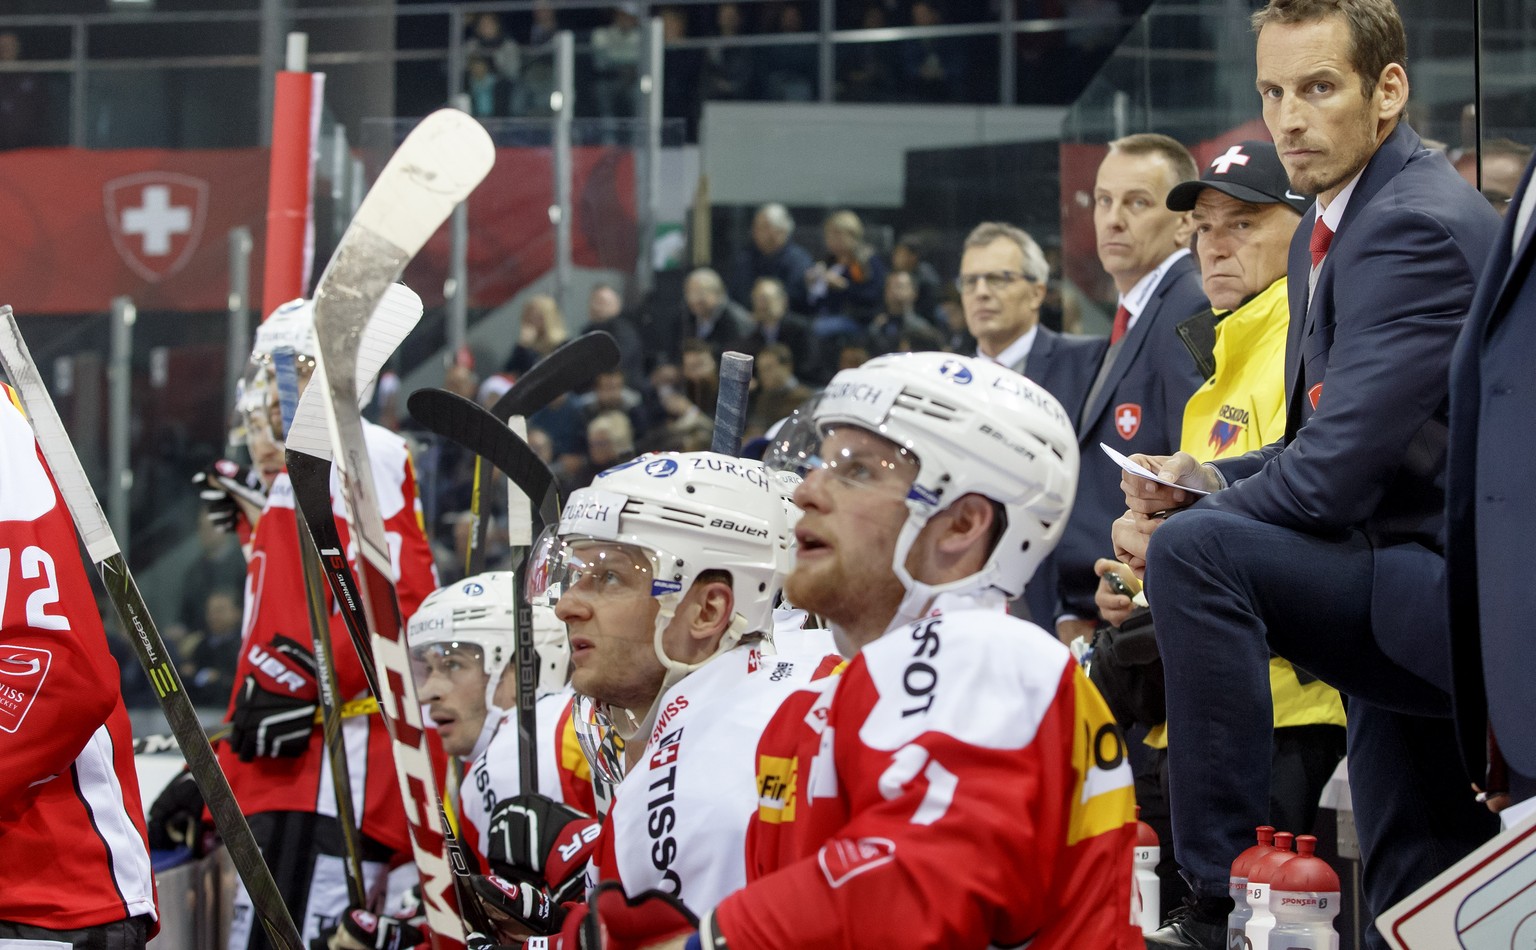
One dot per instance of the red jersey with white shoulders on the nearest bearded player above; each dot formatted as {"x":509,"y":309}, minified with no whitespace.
{"x":961,"y":786}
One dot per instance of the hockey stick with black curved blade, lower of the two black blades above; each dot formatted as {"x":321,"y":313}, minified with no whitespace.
{"x":472,"y":427}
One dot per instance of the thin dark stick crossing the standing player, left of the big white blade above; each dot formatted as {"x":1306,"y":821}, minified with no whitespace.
{"x":283,"y":365}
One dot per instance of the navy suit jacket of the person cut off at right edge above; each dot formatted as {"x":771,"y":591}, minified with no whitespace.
{"x":1491,"y":508}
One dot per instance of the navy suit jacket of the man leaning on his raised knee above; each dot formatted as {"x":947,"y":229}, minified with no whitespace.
{"x":1366,"y":387}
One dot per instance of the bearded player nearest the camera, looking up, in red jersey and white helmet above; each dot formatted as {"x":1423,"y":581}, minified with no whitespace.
{"x":964,"y":786}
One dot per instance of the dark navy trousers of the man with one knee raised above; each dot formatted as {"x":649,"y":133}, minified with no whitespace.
{"x":1226,"y":591}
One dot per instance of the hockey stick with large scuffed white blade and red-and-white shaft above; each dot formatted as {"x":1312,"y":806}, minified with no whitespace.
{"x":434,"y":170}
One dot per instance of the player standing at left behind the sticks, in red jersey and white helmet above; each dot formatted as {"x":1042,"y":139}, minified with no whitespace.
{"x":274,"y":759}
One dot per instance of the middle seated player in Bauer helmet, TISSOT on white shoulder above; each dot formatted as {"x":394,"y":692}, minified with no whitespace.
{"x":666,"y":574}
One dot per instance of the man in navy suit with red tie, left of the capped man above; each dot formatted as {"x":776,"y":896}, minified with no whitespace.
{"x":1137,"y":400}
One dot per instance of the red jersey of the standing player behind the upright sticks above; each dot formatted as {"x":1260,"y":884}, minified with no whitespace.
{"x":276,"y":605}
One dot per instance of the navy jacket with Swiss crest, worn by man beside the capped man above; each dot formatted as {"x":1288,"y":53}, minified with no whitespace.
{"x":1140,"y":408}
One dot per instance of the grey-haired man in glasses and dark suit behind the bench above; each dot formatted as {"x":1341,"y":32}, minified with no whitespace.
{"x":1002,"y":284}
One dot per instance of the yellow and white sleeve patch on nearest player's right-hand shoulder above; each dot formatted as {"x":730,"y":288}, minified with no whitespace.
{"x":1104,"y":797}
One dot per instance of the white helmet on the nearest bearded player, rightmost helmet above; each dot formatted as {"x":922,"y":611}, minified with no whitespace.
{"x":972,"y":427}
